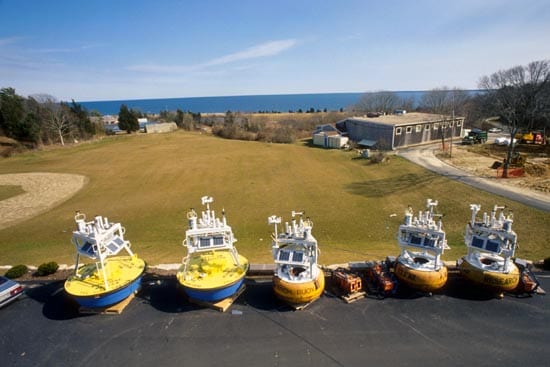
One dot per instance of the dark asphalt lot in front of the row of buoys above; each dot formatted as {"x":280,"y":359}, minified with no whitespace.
{"x":458,"y":327}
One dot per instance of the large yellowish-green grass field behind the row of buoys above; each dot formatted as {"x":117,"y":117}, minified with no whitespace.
{"x":148,"y":182}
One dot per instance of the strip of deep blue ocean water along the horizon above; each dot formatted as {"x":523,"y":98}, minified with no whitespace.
{"x":252,"y":103}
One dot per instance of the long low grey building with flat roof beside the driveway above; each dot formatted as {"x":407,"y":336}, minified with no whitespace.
{"x":402,"y":130}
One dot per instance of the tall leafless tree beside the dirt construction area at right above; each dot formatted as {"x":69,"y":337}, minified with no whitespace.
{"x":519,"y":95}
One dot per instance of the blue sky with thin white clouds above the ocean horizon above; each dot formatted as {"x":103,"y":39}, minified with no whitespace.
{"x":101,"y":50}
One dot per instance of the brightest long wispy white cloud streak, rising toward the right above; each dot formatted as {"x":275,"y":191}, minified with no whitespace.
{"x":270,"y":48}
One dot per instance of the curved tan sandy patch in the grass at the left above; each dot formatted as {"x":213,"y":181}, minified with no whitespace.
{"x":43,"y":191}
